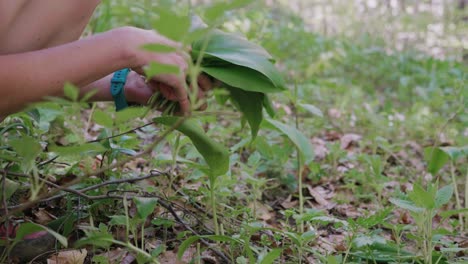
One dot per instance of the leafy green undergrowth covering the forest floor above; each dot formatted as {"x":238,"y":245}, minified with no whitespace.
{"x":365,"y":161}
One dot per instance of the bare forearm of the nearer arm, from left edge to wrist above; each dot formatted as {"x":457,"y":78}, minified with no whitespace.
{"x":28,"y":77}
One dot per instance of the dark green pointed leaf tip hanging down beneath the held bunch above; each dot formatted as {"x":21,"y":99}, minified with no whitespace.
{"x":250,"y":104}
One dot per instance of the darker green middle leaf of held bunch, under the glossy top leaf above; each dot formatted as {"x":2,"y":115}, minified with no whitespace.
{"x":242,"y":78}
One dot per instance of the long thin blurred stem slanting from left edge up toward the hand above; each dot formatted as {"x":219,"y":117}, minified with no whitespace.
{"x":79,"y":179}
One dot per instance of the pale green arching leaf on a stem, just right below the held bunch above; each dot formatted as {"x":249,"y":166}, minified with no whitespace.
{"x":296,"y":136}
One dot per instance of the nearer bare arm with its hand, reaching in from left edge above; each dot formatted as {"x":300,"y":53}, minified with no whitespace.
{"x":28,"y":77}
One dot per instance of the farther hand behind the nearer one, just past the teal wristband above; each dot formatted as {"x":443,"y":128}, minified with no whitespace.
{"x":137,"y":90}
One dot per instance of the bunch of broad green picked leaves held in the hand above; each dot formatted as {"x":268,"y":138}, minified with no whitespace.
{"x":245,"y":69}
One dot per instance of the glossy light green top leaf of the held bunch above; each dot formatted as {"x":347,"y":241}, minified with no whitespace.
{"x":239,"y":51}
